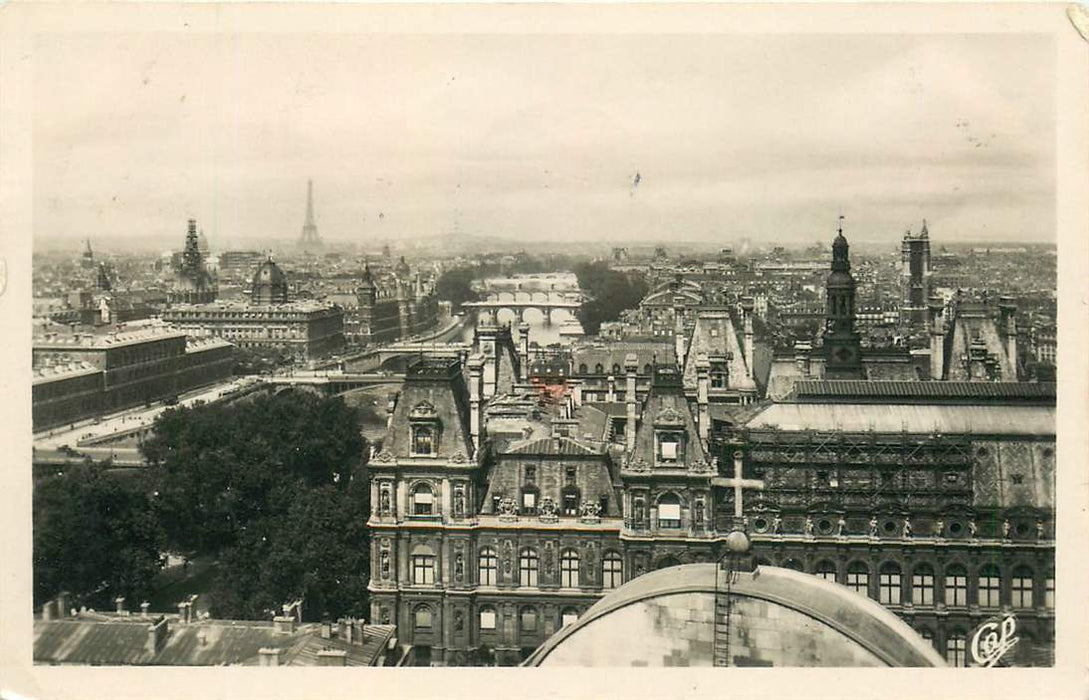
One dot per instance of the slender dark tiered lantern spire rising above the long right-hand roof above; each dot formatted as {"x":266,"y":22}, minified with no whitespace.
{"x":842,"y":345}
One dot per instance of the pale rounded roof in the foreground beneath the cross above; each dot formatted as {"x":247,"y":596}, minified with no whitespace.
{"x":787,"y":619}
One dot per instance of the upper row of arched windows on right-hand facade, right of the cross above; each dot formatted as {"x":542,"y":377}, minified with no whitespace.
{"x":956,"y":584}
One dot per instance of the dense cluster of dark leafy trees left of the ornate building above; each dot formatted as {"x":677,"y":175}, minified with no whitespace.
{"x":272,"y":489}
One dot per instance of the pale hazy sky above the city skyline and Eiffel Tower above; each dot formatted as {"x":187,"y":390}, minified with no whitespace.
{"x":542,"y":137}
